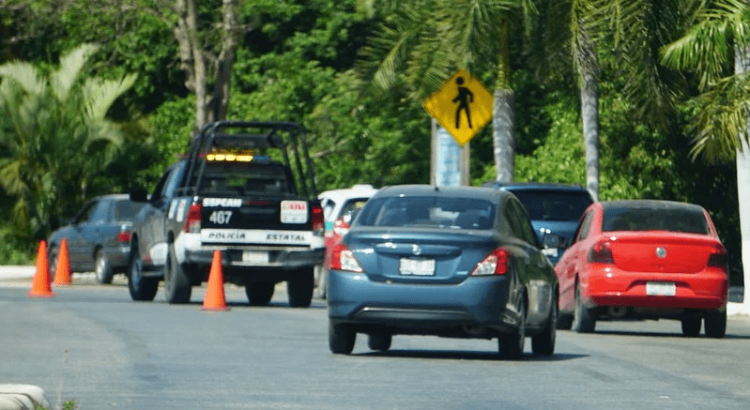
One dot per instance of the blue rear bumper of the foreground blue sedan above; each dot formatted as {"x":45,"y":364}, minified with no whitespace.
{"x":420,"y":308}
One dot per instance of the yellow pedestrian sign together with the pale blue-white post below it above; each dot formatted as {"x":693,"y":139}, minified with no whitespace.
{"x":460,"y":108}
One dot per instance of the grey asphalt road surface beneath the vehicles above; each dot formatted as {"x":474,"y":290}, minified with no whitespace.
{"x":92,"y":344}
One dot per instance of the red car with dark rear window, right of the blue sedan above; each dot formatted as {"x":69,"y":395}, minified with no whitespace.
{"x":644,"y":259}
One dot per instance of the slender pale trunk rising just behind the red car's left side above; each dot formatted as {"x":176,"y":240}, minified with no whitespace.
{"x":590,"y":115}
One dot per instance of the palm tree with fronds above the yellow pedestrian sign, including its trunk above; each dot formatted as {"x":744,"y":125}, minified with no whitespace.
{"x":423,"y":42}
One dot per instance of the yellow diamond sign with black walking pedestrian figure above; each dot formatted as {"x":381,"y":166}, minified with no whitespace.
{"x":463,"y":106}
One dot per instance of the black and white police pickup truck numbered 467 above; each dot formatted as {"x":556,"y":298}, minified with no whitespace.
{"x":246,"y":189}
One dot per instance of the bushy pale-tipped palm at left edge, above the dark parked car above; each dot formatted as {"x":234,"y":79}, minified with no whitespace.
{"x":54,"y":136}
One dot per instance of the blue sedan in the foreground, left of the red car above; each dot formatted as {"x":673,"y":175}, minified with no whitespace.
{"x":458,"y":262}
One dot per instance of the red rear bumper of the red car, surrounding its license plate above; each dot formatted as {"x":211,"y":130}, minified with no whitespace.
{"x":611,"y":287}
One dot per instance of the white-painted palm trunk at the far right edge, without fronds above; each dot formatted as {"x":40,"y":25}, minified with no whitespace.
{"x":742,"y":65}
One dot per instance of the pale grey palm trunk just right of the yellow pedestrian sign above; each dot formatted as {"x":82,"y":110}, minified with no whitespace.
{"x":502,"y":134}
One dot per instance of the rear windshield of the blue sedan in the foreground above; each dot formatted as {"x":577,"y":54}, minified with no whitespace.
{"x":456,"y":213}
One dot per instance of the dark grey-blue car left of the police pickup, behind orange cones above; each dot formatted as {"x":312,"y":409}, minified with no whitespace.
{"x":98,"y":237}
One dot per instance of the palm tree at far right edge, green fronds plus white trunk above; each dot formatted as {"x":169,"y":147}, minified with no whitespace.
{"x":718,"y":38}
